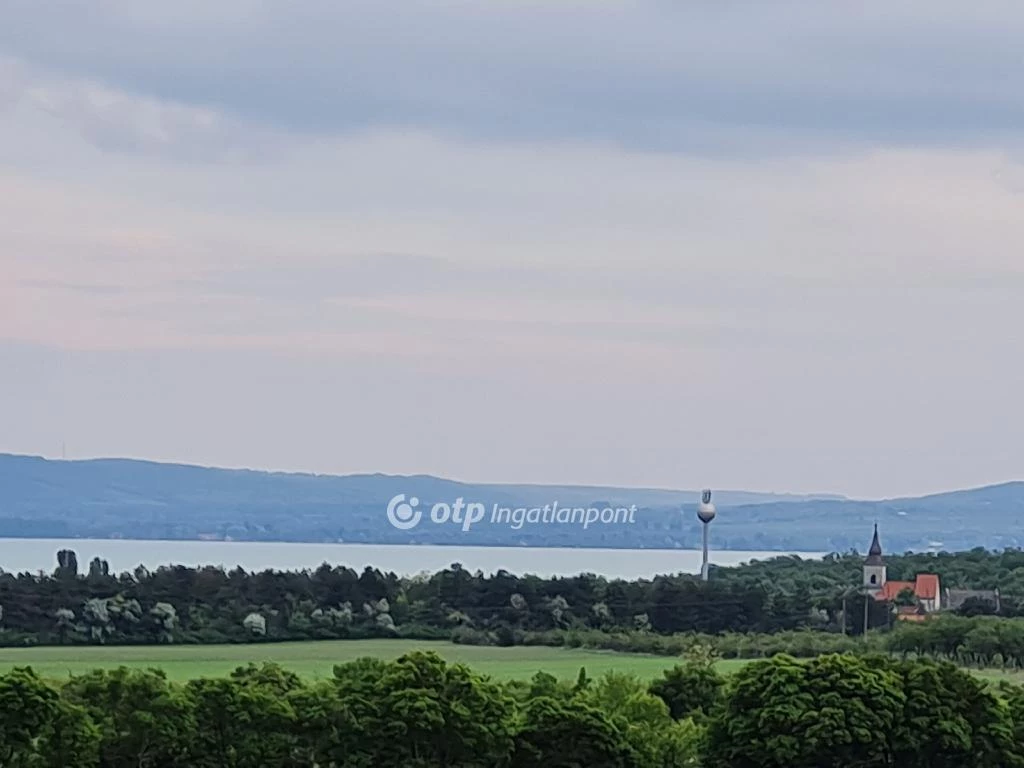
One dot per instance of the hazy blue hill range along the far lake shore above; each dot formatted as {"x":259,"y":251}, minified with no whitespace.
{"x":117,"y":498}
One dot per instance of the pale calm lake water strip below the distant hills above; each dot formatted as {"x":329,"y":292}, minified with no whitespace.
{"x":19,"y":556}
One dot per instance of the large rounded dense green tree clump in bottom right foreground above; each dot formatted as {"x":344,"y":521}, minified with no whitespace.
{"x":839,"y":712}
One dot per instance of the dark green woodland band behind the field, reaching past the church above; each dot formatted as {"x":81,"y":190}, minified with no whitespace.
{"x":209,"y":605}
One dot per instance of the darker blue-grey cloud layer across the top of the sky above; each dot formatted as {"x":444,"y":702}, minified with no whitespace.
{"x":699,"y":77}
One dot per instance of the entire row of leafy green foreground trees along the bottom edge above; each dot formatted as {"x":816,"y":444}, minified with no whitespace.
{"x":419,"y":712}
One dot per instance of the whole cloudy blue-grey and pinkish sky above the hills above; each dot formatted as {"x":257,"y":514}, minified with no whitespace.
{"x":739,"y":245}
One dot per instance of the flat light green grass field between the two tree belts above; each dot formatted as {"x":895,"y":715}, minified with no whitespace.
{"x":316,"y":660}
